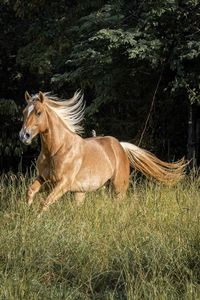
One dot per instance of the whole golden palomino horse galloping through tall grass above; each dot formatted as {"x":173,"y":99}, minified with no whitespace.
{"x":76,"y":164}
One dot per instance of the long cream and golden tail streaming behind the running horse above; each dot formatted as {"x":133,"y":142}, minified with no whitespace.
{"x":151,"y":166}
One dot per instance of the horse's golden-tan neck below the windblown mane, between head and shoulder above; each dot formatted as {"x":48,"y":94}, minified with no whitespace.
{"x":56,"y":135}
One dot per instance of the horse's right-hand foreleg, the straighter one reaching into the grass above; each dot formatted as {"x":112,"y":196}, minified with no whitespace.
{"x":60,"y":188}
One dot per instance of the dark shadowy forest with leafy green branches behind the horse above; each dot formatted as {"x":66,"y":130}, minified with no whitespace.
{"x":138,"y":63}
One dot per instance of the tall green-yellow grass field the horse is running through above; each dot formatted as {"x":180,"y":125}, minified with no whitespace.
{"x":144,"y":247}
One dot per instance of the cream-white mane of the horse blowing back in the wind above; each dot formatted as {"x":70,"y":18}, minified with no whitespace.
{"x":70,"y":111}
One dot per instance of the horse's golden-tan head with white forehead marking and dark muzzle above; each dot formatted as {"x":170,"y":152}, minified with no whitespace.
{"x":34,"y":118}
